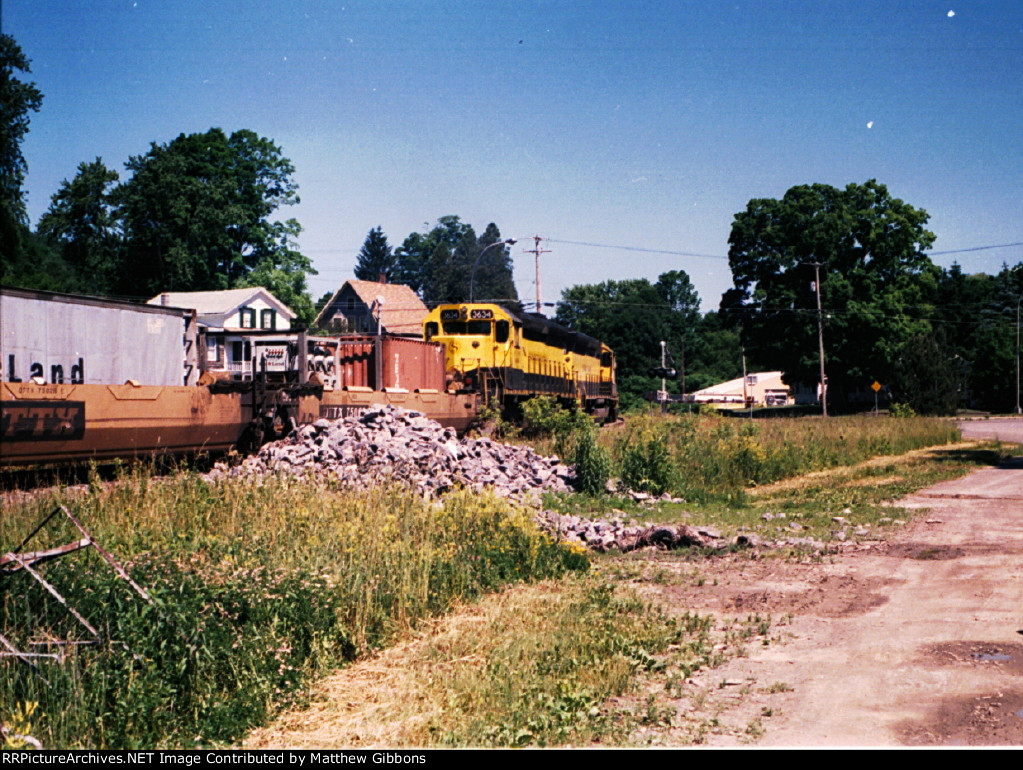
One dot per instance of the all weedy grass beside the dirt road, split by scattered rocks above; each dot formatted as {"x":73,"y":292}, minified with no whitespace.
{"x":261,"y":590}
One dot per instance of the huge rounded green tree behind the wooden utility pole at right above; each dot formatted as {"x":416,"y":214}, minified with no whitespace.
{"x":877,"y":286}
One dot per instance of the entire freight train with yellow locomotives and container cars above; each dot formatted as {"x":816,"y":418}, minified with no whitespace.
{"x":97,"y":379}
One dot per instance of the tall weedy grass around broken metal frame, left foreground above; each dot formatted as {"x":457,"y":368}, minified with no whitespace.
{"x":256,"y":586}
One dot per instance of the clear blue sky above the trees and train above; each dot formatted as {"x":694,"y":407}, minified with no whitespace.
{"x":646,"y":125}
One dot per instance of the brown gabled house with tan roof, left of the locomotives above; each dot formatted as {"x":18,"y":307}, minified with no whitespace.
{"x":360,"y":306}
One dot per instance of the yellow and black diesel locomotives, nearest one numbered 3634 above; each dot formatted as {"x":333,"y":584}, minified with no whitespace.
{"x":509,"y":356}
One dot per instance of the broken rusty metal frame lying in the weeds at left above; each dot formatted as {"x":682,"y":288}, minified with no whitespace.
{"x":13,"y":563}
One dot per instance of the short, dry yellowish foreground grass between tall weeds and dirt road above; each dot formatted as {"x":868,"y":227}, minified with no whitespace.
{"x":531,"y":666}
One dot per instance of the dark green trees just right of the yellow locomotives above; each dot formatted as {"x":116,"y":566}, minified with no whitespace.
{"x":634,"y":316}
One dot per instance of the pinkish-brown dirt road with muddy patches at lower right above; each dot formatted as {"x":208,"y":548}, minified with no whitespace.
{"x":916,"y":642}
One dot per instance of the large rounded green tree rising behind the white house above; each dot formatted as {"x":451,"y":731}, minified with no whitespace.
{"x":199,"y":214}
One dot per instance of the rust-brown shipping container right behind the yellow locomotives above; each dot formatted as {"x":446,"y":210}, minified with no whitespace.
{"x":391,"y":363}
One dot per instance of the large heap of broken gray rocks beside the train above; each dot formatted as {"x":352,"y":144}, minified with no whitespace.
{"x":390,"y":444}
